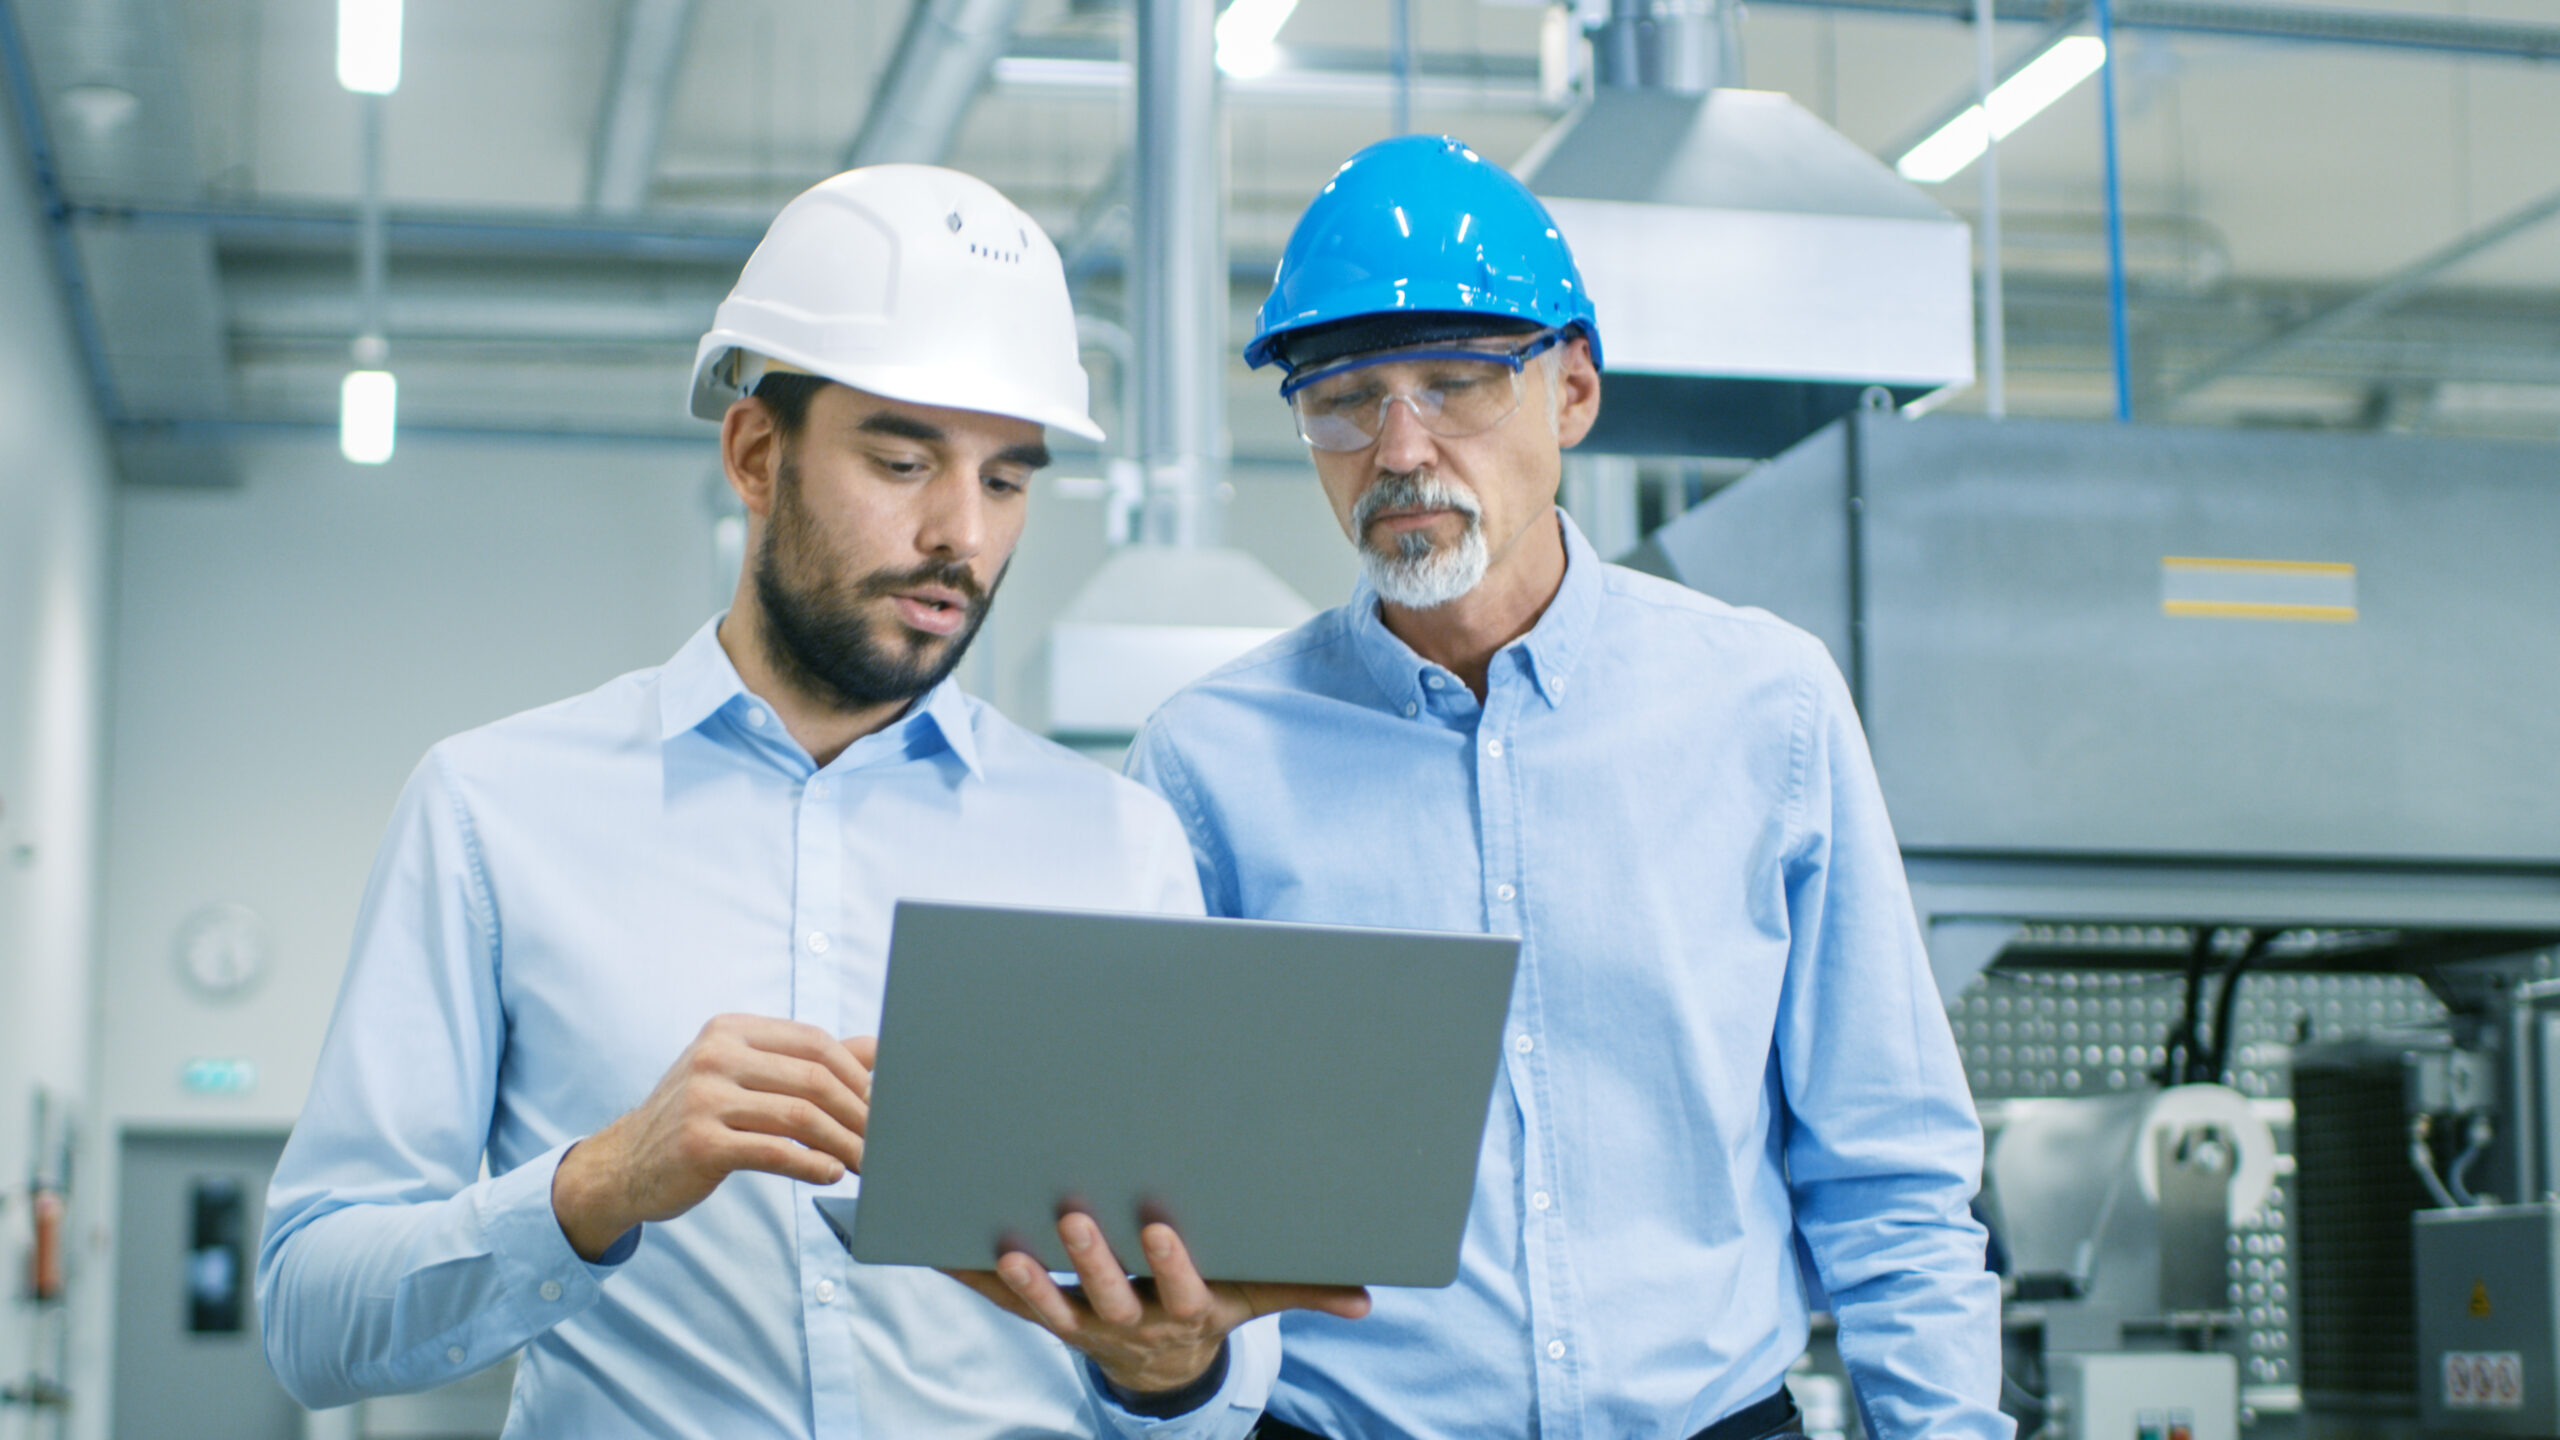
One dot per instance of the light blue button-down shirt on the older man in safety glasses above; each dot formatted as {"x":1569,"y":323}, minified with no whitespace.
{"x":1724,"y":1031}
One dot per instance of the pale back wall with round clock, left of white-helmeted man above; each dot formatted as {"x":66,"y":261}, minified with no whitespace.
{"x":288,"y":652}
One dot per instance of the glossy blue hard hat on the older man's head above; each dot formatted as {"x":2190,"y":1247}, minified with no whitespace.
{"x":1422,"y":229}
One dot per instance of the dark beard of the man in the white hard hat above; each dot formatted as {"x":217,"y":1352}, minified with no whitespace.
{"x":820,"y":634}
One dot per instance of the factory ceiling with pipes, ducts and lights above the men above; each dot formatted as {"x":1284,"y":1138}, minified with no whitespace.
{"x":2339,"y":214}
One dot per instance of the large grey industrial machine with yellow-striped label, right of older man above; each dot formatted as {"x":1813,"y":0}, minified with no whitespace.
{"x":2228,"y":780}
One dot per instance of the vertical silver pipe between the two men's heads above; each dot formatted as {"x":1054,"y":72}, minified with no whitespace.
{"x":1181,"y":270}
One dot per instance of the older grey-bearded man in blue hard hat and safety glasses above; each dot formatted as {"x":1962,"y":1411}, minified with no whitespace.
{"x":1724,"y":1047}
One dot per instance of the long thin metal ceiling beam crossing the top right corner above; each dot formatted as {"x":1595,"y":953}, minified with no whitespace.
{"x":2262,"y":22}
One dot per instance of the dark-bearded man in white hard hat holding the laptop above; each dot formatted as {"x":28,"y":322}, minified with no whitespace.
{"x":616,"y":947}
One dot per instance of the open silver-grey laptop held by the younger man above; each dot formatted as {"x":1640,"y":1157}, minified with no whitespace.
{"x":1304,"y":1103}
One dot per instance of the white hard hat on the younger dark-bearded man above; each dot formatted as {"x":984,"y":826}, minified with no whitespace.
{"x":913,"y":283}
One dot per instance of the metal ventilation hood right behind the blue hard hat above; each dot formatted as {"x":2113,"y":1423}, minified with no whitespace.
{"x":1755,"y":270}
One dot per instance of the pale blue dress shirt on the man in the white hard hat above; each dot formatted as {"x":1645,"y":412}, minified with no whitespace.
{"x":562,"y":903}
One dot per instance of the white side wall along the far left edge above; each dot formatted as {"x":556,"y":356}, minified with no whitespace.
{"x":55,"y":514}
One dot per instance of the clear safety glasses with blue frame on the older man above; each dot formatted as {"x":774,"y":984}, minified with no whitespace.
{"x":1453,"y":393}
